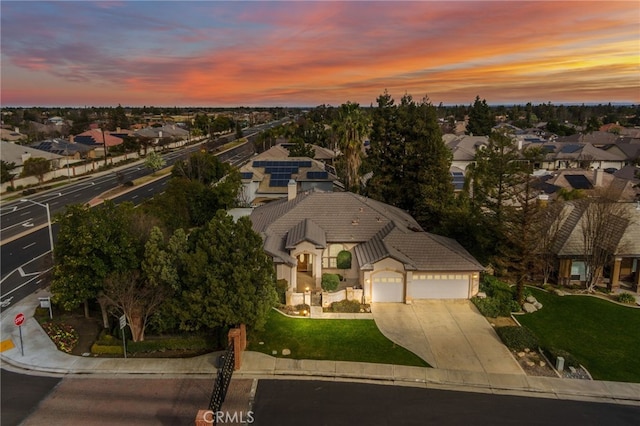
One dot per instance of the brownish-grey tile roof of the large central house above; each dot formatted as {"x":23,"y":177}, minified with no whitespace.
{"x":378,"y":229}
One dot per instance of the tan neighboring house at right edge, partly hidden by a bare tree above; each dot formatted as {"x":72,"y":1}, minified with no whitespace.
{"x":623,"y":244}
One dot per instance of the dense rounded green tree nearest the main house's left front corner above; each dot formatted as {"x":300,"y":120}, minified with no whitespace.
{"x":226,"y":278}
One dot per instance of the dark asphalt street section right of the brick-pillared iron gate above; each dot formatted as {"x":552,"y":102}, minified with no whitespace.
{"x":320,"y":403}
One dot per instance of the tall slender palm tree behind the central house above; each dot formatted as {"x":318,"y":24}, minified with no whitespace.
{"x":351,"y":127}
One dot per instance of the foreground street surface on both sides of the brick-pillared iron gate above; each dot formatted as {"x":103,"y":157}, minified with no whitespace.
{"x":30,"y":400}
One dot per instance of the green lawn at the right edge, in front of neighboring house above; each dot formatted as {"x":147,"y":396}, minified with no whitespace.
{"x":603,"y":336}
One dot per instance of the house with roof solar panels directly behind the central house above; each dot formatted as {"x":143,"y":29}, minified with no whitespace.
{"x":267,"y":176}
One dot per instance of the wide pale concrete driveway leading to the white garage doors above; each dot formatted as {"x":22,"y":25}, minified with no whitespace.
{"x":448,"y":334}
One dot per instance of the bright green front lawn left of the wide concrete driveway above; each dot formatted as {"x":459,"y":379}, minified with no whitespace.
{"x":329,"y":339}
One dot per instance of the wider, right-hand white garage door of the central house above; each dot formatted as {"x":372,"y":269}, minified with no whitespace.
{"x":439,"y":286}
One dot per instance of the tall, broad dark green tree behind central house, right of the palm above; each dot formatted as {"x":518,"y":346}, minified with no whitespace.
{"x":409,"y":159}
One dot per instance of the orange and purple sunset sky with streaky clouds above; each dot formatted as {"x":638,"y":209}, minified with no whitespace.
{"x":267,"y":53}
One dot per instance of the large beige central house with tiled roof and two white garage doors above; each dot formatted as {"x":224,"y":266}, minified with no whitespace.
{"x":393,"y":259}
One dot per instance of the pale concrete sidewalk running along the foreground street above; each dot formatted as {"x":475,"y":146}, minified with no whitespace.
{"x":41,"y":355}
